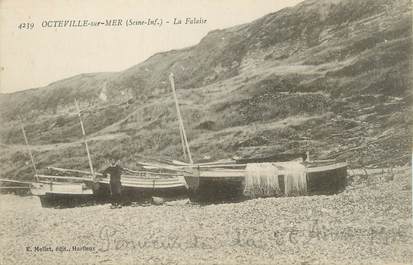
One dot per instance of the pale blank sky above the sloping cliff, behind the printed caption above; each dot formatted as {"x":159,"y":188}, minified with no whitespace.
{"x":35,"y":57}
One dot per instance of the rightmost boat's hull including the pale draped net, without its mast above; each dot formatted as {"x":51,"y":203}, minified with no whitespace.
{"x":265,"y":180}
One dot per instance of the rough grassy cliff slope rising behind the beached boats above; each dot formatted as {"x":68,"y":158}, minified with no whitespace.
{"x":336,"y":72}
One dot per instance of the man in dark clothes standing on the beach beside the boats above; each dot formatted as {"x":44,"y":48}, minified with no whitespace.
{"x":114,"y":171}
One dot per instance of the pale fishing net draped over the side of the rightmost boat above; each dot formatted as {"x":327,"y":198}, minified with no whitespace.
{"x":275,"y":179}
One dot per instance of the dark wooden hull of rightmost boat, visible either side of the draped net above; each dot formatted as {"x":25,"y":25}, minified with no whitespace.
{"x":213,"y":186}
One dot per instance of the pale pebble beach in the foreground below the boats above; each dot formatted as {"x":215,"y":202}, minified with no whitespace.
{"x":365,"y":224}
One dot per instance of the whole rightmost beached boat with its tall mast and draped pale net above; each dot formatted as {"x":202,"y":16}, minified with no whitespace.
{"x":278,"y":175}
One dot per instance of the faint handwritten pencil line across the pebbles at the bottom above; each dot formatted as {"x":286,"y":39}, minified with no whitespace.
{"x":111,"y":238}
